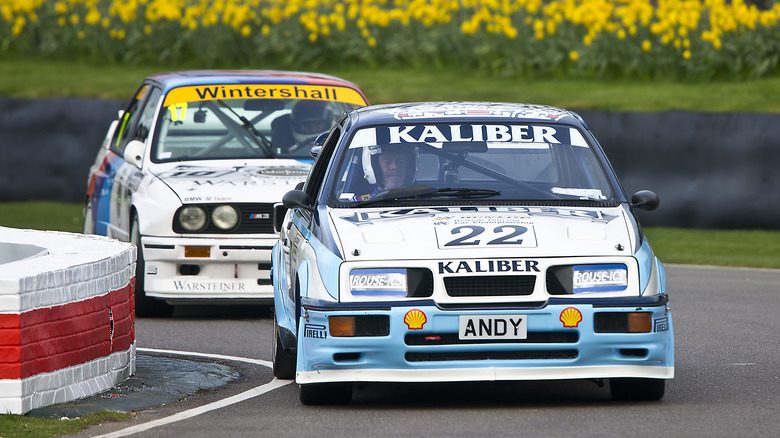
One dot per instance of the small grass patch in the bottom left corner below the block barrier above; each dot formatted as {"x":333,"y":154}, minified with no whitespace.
{"x":15,"y":426}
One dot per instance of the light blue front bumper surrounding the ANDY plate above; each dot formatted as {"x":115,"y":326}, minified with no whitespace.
{"x":551,"y":351}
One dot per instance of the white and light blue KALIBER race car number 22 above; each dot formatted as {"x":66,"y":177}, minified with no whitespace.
{"x":441,"y":242}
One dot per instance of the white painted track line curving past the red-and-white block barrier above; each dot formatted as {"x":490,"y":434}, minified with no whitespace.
{"x":246,"y":395}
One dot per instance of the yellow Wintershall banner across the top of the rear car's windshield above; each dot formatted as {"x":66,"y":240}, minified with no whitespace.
{"x":252,"y":91}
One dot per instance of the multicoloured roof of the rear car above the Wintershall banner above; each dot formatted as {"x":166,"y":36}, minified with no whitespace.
{"x":174,"y":79}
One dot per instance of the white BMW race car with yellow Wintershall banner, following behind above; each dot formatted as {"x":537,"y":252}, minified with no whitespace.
{"x":190,"y":173}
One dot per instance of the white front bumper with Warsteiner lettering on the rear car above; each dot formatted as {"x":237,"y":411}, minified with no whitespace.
{"x":233,"y":270}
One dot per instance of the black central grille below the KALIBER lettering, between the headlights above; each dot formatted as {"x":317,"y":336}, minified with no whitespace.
{"x":490,"y":286}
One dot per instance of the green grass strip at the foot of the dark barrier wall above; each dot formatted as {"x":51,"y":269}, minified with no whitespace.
{"x":752,"y":248}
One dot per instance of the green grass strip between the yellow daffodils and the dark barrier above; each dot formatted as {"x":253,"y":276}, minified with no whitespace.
{"x":28,"y":77}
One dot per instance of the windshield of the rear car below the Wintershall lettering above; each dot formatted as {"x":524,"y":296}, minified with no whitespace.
{"x":219,"y":127}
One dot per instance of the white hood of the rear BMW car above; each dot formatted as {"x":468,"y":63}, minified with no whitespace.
{"x":236,"y":183}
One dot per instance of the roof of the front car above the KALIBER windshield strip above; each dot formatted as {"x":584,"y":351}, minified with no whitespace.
{"x":438,"y":112}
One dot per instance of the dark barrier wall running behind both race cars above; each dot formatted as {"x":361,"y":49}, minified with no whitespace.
{"x":710,"y":170}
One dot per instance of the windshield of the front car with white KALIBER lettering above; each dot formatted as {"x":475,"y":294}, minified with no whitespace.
{"x":424,"y":162}
